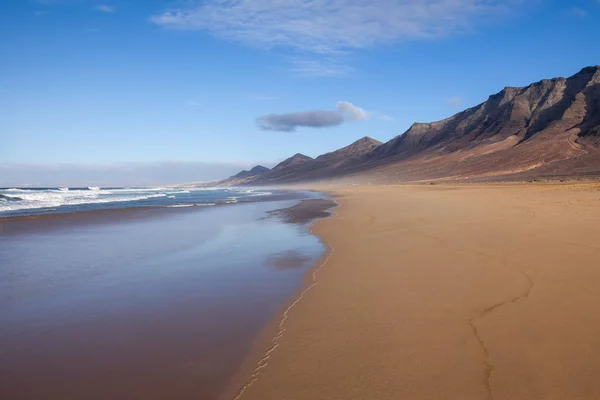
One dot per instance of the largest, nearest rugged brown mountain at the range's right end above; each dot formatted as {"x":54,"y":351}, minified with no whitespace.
{"x":514,"y":131}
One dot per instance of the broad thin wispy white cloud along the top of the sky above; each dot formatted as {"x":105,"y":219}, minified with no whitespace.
{"x":331,"y":26}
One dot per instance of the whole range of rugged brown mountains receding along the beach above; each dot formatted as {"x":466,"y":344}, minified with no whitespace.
{"x":550,"y":128}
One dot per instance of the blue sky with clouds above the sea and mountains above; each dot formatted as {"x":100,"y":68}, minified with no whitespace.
{"x":97,"y":89}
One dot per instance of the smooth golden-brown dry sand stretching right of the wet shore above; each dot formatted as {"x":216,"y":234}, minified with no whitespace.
{"x":446,"y":292}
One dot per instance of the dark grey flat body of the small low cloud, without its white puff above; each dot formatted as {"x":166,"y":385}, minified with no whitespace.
{"x":289,"y":122}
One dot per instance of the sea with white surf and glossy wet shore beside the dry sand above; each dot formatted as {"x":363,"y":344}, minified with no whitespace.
{"x":148,"y":294}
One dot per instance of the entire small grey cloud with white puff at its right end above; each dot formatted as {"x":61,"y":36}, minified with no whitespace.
{"x":289,"y":122}
